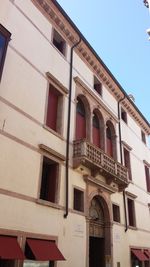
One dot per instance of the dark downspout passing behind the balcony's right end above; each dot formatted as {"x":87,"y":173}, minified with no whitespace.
{"x":121,"y":159}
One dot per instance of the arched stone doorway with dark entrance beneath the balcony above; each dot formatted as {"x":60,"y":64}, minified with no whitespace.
{"x":99,"y":233}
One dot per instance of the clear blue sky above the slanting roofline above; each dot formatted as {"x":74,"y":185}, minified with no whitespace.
{"x":117,"y":31}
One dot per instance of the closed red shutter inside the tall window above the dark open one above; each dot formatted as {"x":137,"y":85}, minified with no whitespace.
{"x":51,"y":120}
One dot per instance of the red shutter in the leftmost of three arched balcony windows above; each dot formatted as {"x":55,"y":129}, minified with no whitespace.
{"x":80,"y":126}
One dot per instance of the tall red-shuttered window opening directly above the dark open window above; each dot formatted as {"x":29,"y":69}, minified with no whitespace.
{"x":54,"y":109}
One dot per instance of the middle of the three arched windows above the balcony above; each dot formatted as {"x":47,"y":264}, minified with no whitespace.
{"x":96,"y":130}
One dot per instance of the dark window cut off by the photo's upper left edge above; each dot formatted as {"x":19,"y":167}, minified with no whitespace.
{"x":4,"y":39}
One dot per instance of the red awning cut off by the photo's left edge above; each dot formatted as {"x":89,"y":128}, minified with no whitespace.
{"x":10,"y":249}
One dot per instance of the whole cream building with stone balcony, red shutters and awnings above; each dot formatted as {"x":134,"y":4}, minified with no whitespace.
{"x":73,"y":186}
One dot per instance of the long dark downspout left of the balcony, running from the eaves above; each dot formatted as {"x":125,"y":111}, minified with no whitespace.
{"x":68,"y":127}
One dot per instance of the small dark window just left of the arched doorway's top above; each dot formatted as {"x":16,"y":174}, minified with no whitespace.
{"x":78,"y":203}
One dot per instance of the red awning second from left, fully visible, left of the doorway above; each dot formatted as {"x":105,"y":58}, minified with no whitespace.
{"x":44,"y":250}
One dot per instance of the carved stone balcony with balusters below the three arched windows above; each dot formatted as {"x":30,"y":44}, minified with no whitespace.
{"x":87,"y":154}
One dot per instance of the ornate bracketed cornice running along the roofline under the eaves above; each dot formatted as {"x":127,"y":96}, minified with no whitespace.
{"x":62,"y":22}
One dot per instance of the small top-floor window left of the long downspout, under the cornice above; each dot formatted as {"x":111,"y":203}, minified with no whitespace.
{"x":59,"y":42}
